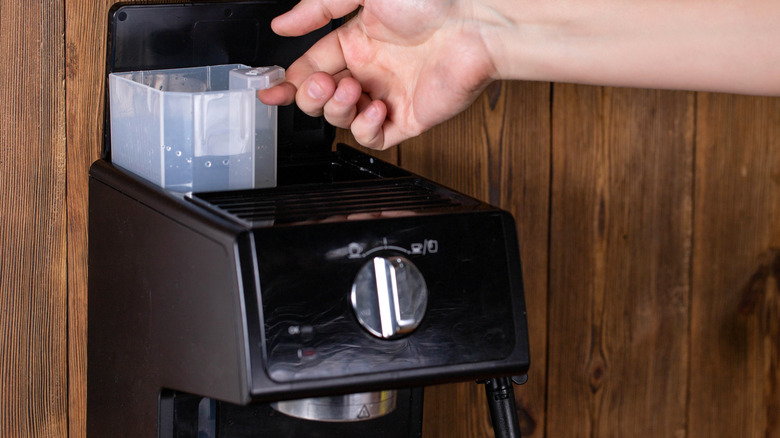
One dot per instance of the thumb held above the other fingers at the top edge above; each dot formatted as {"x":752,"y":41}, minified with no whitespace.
{"x":309,"y":15}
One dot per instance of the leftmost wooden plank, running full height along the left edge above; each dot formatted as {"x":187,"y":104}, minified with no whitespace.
{"x":33,"y":294}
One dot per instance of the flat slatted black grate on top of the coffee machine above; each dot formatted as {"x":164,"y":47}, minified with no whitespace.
{"x":284,"y":205}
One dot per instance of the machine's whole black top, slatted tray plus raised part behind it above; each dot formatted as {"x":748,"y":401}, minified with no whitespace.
{"x":350,"y":187}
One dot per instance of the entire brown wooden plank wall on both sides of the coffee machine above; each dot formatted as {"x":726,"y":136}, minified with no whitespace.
{"x":649,"y":224}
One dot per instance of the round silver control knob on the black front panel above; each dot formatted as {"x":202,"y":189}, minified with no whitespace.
{"x":389,"y":296}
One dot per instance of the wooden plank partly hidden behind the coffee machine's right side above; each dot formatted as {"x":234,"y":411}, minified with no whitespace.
{"x":498,"y":151}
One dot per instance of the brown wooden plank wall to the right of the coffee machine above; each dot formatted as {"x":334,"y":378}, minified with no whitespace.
{"x":649,"y":226}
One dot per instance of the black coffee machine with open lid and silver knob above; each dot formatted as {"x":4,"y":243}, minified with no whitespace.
{"x":318,"y":308}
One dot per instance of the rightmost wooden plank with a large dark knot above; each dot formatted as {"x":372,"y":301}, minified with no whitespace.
{"x":735,"y":305}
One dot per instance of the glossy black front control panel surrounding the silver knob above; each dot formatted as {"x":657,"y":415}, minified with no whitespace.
{"x":385,"y":295}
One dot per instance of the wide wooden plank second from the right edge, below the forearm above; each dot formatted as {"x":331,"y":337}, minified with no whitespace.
{"x":619,"y":262}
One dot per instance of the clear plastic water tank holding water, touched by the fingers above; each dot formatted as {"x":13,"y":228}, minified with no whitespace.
{"x":195,"y":129}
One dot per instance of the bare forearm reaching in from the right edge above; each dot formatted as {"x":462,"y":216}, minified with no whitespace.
{"x":723,"y":45}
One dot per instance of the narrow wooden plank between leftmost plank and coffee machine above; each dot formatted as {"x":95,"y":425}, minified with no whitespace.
{"x":85,"y":62}
